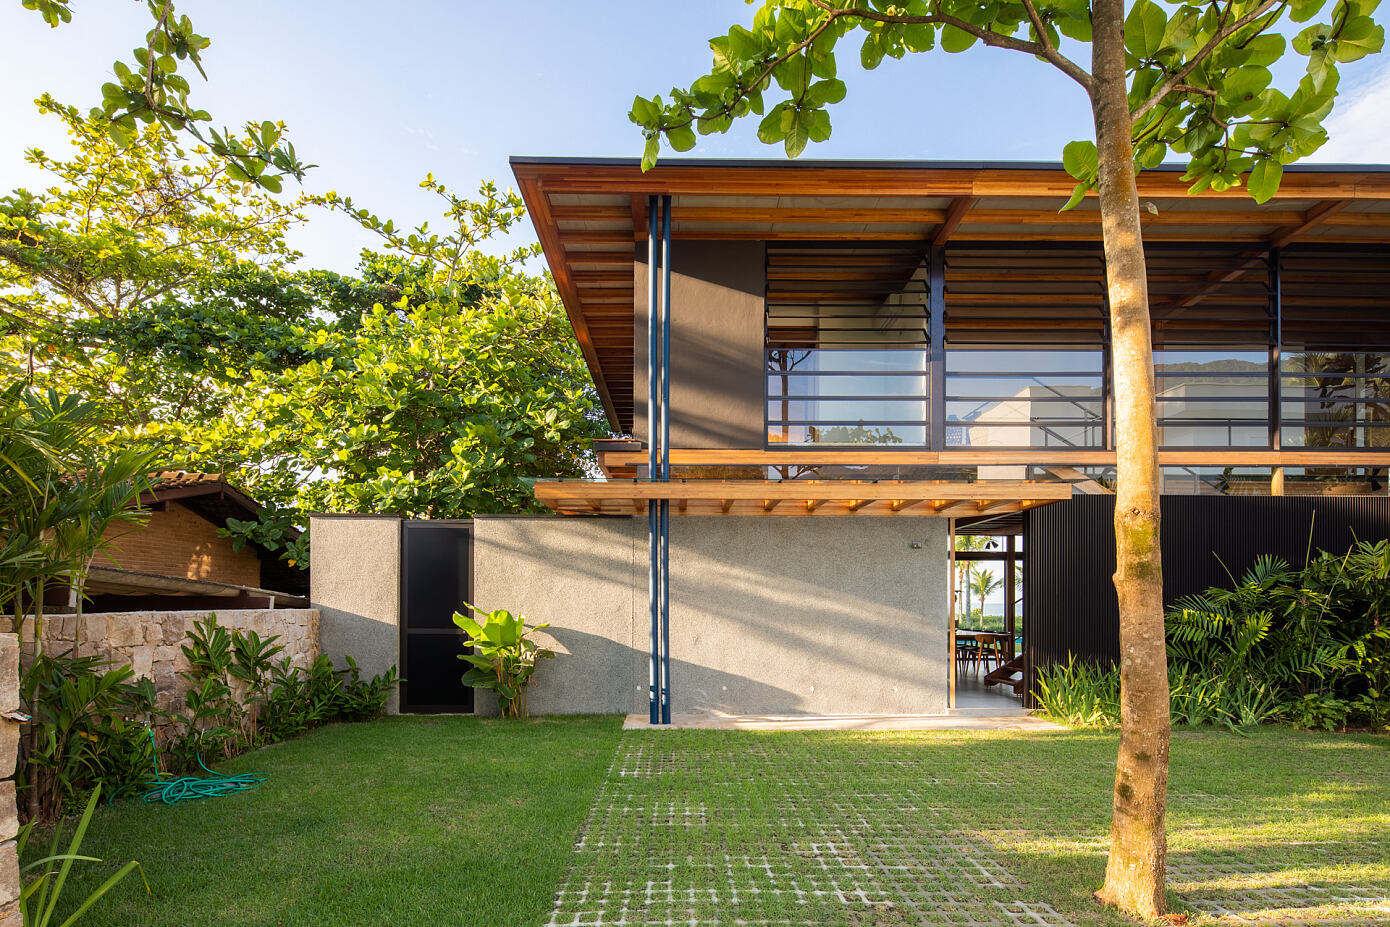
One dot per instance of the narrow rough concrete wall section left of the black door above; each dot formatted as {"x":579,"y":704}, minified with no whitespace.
{"x":357,"y":587}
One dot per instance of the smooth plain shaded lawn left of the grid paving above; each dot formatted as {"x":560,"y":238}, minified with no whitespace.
{"x":407,"y":821}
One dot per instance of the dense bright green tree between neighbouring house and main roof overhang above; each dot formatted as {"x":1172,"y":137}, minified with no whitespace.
{"x":427,"y":408}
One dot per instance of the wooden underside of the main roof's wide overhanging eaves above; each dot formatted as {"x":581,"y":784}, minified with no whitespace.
{"x":591,"y":215}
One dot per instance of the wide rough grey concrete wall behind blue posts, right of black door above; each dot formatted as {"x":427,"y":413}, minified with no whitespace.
{"x":768,"y":615}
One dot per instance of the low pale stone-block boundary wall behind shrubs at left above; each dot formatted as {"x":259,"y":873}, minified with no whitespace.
{"x":152,"y":643}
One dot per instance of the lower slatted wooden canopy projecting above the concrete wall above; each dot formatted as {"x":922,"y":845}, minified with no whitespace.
{"x":800,"y":497}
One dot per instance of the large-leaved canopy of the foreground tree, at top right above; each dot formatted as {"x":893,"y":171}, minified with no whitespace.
{"x":1199,"y":74}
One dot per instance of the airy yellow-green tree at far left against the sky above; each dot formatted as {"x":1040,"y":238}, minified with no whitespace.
{"x":122,"y":236}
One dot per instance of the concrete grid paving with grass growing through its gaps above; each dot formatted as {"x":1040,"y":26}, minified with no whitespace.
{"x":761,"y":832}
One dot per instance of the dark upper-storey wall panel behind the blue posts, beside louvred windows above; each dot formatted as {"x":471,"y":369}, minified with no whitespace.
{"x":718,"y":344}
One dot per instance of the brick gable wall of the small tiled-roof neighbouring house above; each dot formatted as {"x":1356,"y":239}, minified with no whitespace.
{"x":180,"y":543}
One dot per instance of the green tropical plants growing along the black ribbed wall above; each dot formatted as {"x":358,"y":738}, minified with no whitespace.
{"x":1309,"y":647}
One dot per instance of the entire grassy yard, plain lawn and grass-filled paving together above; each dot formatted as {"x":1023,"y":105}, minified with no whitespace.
{"x":568,"y":822}
